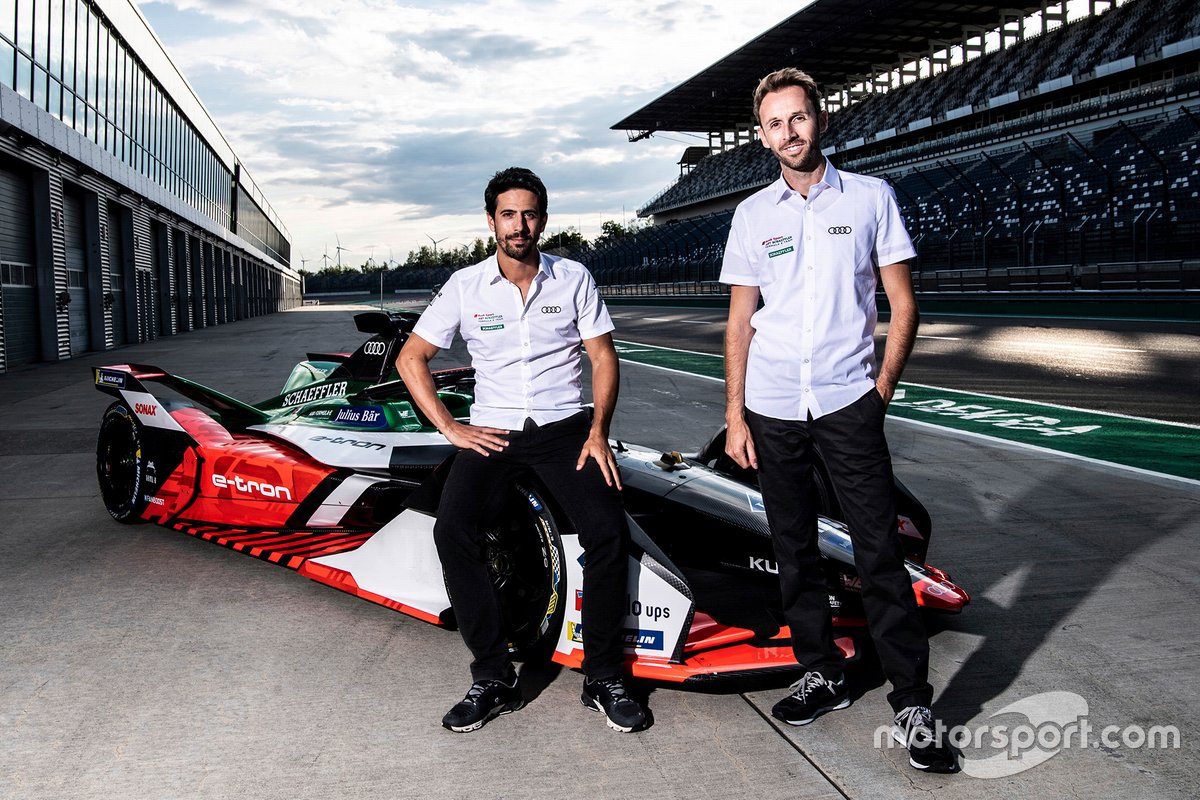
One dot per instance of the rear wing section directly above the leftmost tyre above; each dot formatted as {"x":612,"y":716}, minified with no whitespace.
{"x":129,"y":382}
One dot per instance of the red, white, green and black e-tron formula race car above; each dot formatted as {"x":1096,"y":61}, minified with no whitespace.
{"x":339,"y":477}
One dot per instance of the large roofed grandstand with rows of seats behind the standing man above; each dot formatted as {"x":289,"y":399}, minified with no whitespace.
{"x":1060,"y":159}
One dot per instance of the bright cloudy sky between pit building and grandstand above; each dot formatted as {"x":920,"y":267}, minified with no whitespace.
{"x":377,"y":124}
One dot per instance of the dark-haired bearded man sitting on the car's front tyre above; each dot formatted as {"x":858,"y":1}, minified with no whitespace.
{"x":524,"y":316}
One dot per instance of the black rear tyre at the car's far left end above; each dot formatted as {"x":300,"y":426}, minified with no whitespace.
{"x":121,"y":465}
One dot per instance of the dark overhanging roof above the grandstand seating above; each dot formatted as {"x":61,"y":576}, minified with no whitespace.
{"x":837,"y":41}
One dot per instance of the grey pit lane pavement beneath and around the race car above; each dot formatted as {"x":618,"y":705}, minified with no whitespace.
{"x":139,"y":663}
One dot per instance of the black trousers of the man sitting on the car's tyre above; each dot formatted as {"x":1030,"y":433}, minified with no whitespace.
{"x":595,"y":512}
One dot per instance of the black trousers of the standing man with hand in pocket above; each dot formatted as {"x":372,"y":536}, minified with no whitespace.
{"x":856,"y":453}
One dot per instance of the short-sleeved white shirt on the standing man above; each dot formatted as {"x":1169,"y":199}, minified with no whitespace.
{"x":814,"y":262}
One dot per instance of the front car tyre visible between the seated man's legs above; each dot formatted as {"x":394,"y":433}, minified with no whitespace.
{"x":525,"y":557}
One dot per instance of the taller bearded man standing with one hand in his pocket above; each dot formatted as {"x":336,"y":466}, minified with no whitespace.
{"x":801,"y":374}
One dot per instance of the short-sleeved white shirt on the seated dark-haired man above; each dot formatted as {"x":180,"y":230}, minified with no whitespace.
{"x":527,"y":356}
